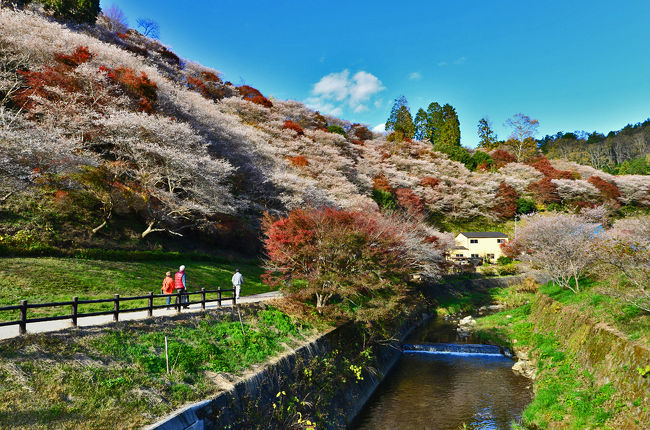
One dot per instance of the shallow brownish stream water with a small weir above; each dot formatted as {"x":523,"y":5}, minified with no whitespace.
{"x":441,"y":391}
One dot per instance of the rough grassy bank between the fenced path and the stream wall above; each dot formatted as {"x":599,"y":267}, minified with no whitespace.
{"x":115,"y":377}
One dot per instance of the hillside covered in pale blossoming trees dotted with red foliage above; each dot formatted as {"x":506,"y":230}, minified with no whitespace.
{"x":111,"y":140}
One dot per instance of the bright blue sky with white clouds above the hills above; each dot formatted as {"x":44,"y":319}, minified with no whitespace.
{"x":573,"y":65}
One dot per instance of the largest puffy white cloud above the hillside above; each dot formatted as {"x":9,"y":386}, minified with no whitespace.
{"x":336,"y":90}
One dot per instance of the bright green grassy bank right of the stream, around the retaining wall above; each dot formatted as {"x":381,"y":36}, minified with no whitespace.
{"x":566,"y":394}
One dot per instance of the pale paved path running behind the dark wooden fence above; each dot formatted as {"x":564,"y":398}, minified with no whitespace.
{"x":41,"y":327}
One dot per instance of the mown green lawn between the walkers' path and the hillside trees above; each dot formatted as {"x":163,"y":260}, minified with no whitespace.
{"x":49,"y":279}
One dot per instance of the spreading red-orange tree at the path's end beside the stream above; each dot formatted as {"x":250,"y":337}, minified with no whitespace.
{"x":354,"y":259}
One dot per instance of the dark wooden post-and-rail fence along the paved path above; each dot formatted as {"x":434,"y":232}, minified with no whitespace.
{"x":24,"y":306}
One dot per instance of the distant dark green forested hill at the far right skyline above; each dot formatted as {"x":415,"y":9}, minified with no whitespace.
{"x":625,"y":151}
